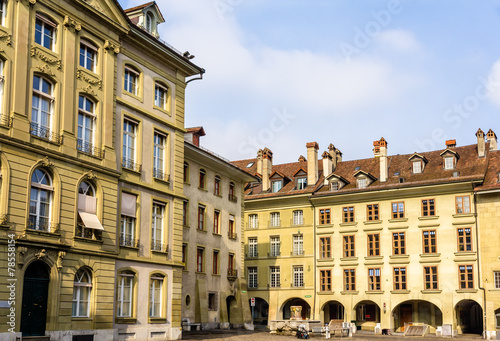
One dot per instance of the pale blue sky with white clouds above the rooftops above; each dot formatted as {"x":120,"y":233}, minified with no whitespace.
{"x":282,"y":73}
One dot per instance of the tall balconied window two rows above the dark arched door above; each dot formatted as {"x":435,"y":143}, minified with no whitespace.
{"x":41,"y":107}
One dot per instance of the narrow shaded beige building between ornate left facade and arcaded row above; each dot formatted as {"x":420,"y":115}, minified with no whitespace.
{"x":214,"y":289}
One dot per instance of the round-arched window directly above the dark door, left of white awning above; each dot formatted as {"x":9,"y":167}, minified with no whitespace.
{"x":40,"y":200}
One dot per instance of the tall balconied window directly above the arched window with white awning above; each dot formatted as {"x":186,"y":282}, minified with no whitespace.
{"x":86,"y":119}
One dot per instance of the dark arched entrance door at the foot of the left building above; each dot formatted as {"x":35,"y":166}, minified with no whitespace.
{"x":35,"y":292}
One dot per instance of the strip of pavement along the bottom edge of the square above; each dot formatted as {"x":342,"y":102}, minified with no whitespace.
{"x":260,"y":335}
